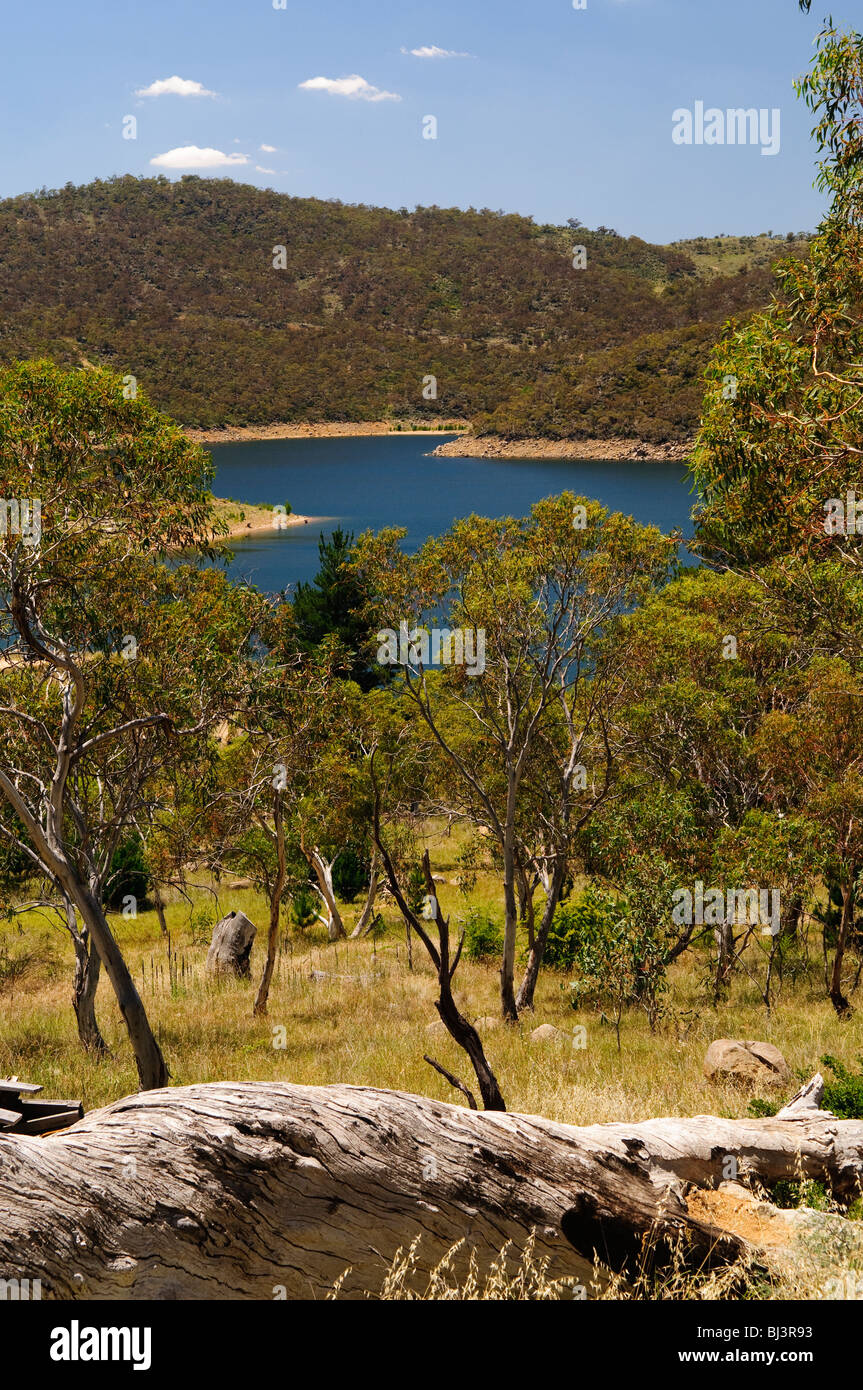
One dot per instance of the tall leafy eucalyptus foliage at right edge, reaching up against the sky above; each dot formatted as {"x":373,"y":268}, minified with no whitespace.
{"x":783,"y":420}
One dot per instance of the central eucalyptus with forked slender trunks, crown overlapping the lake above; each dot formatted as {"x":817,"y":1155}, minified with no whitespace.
{"x":523,"y":678}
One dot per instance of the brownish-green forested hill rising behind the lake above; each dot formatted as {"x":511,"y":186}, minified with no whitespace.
{"x":176,"y":284}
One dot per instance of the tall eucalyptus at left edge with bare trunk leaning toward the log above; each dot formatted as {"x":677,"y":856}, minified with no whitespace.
{"x":113,"y":664}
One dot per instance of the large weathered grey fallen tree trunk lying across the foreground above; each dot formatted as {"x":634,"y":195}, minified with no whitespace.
{"x":272,"y":1191}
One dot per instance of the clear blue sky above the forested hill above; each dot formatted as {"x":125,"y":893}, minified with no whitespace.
{"x":541,"y":109}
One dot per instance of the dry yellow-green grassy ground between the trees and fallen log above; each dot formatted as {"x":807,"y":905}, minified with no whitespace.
{"x":369,"y":1022}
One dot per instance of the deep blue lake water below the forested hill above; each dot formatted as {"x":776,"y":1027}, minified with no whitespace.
{"x":379,"y":482}
